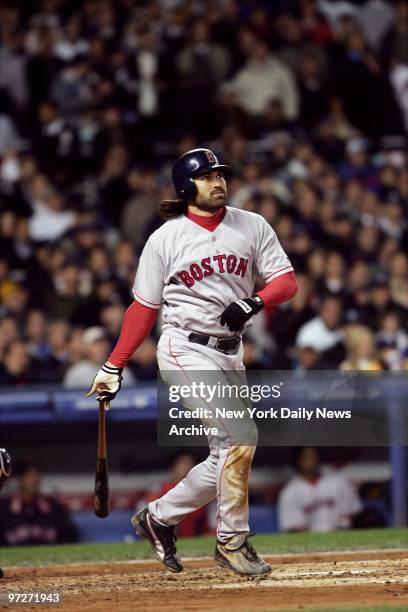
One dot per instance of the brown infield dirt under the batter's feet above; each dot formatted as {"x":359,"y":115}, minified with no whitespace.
{"x":340,"y":580}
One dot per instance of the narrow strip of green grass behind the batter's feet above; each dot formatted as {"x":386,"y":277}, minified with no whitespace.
{"x":203,"y":546}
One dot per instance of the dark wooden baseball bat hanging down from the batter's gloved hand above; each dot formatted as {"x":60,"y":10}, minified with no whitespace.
{"x":101,"y":474}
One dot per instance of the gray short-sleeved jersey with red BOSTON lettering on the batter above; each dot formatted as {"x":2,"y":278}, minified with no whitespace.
{"x":195,"y":273}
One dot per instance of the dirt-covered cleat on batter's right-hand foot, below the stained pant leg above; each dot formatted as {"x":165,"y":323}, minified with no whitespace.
{"x":241,"y":557}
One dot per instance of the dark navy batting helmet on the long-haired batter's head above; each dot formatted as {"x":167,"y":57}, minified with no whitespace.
{"x":190,"y":165}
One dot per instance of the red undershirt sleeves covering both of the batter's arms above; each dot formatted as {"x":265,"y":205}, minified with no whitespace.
{"x":139,"y":320}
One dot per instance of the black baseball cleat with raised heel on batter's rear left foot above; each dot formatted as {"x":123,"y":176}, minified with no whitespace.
{"x":162,"y":539}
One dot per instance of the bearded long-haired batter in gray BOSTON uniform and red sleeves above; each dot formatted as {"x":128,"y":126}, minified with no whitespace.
{"x":200,"y":267}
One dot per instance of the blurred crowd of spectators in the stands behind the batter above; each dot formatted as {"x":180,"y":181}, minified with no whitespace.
{"x":306,"y":100}
